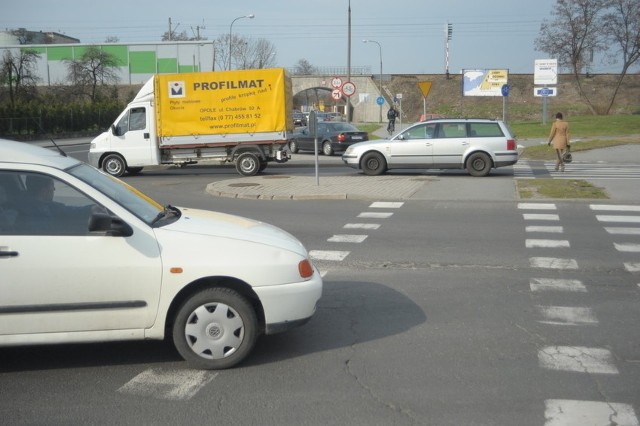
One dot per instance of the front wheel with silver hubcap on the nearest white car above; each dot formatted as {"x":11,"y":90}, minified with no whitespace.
{"x":215,"y":329}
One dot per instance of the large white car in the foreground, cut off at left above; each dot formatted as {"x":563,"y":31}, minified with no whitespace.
{"x":85,"y":257}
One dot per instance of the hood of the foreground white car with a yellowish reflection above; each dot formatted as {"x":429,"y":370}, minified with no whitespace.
{"x":216,"y":224}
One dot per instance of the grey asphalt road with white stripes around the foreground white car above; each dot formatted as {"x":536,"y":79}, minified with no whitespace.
{"x":435,"y":312}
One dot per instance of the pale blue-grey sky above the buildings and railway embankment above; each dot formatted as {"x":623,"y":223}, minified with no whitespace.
{"x":496,"y":34}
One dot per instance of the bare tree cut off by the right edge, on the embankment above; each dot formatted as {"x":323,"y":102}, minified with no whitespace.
{"x":622,"y":29}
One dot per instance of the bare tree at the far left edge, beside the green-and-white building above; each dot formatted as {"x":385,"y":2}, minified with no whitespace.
{"x":18,"y":73}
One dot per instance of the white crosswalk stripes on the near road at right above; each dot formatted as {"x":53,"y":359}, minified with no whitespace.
{"x":552,"y":278}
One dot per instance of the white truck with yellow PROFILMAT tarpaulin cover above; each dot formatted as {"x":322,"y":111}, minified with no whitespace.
{"x":241,"y":117}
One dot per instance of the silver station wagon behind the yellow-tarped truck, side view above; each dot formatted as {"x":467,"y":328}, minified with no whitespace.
{"x":475,"y":144}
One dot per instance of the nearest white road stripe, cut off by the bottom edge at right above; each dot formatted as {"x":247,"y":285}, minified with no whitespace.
{"x":565,"y":412}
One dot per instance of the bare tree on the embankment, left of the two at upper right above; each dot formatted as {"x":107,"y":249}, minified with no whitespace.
{"x":573,"y":35}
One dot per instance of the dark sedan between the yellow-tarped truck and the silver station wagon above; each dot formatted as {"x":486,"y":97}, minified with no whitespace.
{"x":333,"y":137}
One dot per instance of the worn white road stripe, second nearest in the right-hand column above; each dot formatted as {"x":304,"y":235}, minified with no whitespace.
{"x":578,"y":359}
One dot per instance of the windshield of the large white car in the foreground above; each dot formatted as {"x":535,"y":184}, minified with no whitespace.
{"x":125,"y":195}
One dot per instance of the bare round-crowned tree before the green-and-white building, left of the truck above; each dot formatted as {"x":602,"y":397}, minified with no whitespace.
{"x":93,"y":69}
